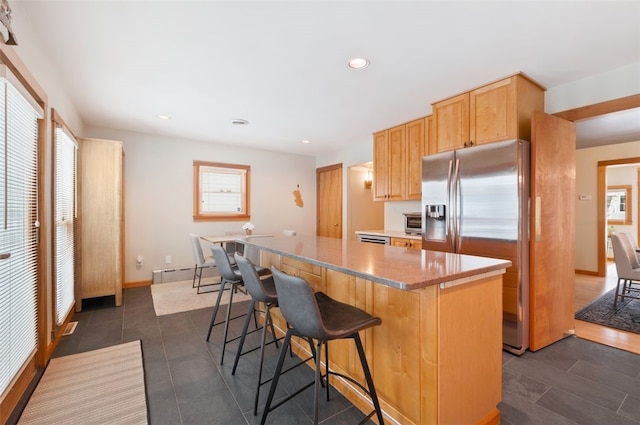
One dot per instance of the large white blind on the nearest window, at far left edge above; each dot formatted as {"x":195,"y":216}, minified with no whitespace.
{"x":18,"y":228}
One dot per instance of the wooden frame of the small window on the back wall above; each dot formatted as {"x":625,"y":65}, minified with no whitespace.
{"x":198,"y":215}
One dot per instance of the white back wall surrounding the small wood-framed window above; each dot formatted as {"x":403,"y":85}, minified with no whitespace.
{"x":159,"y":196}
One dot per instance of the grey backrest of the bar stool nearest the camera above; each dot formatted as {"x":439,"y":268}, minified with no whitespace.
{"x":298,"y":305}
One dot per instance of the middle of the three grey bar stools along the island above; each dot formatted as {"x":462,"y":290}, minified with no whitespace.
{"x":263,"y":291}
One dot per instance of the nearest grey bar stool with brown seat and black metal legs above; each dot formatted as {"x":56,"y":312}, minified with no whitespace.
{"x":321,"y":318}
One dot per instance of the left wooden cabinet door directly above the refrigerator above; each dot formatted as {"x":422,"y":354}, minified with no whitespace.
{"x":451,"y":123}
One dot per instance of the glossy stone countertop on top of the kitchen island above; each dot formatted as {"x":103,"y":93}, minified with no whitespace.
{"x":397,"y":267}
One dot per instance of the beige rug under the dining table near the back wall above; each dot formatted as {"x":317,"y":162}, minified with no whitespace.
{"x":175,"y":297}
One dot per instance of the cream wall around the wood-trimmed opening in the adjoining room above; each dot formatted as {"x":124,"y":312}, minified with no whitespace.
{"x":587,"y":211}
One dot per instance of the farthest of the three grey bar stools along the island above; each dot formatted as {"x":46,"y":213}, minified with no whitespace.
{"x":229,"y":275}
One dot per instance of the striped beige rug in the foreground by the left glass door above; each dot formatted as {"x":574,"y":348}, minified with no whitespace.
{"x":104,"y":386}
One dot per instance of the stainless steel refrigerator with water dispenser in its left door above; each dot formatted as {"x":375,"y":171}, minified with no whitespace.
{"x":475,"y":201}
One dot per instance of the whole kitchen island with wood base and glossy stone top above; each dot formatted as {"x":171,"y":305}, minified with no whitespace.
{"x":437,"y":357}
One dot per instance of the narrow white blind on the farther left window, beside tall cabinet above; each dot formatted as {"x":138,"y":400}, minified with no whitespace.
{"x":65,"y":215}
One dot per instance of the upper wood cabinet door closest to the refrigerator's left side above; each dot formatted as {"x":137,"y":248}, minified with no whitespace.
{"x":416,"y":149}
